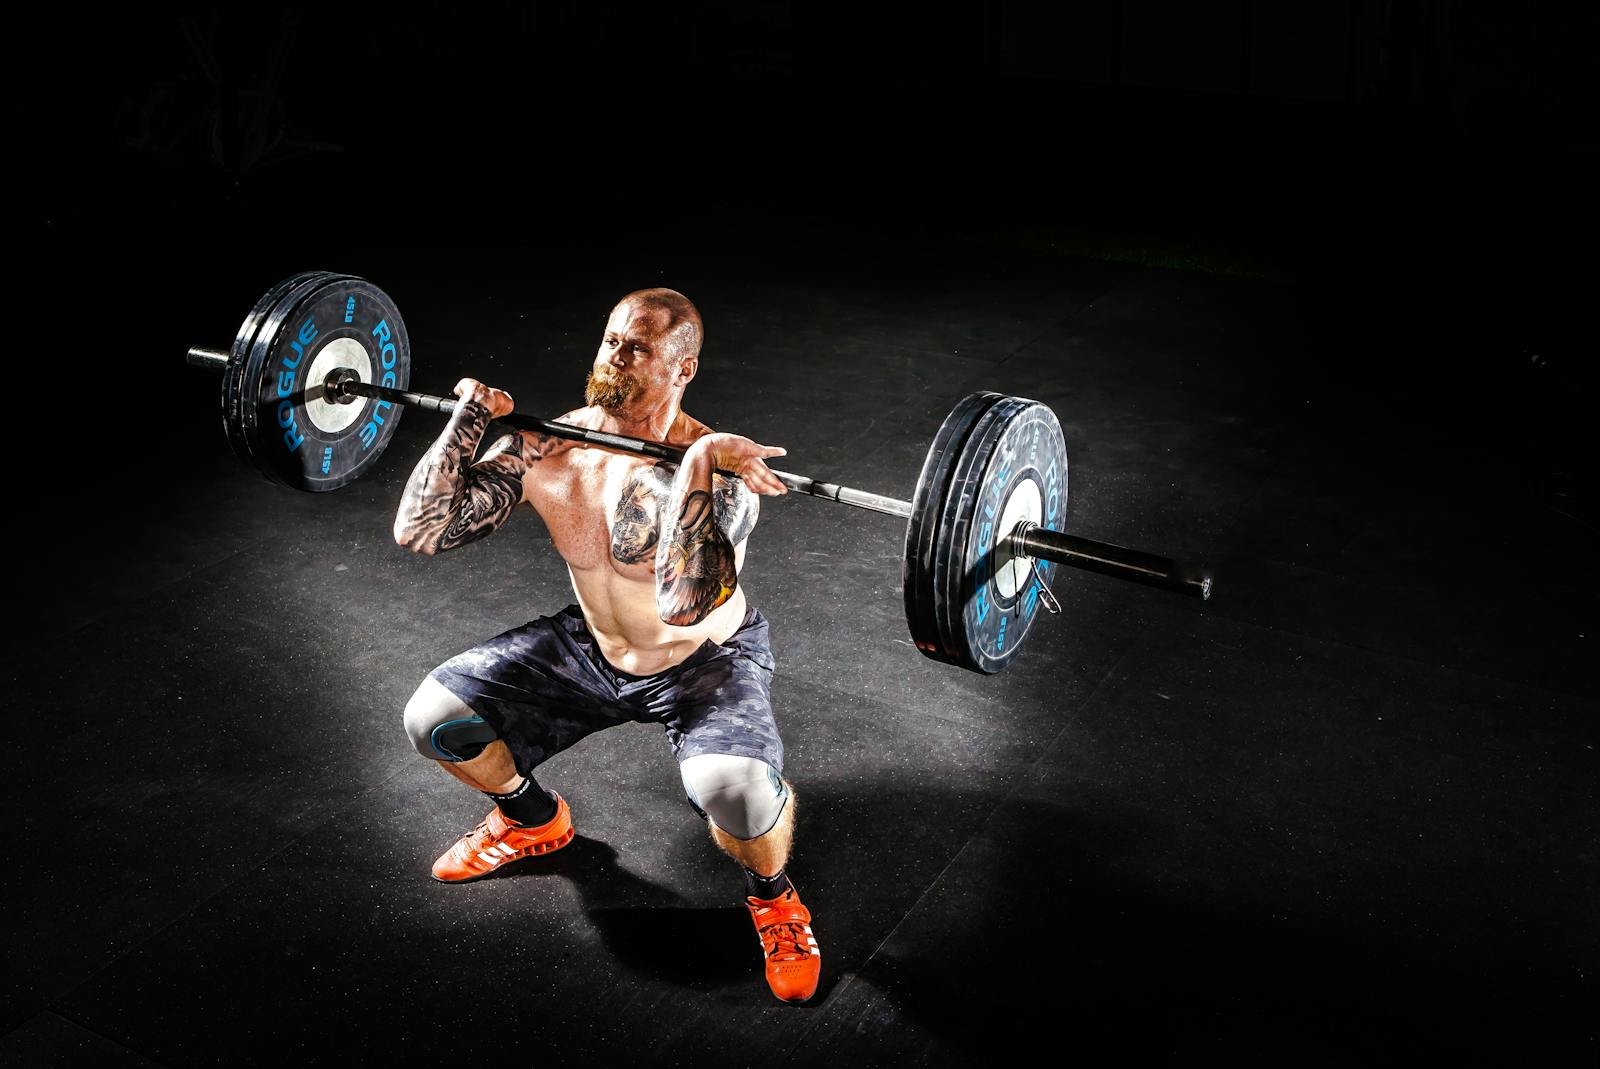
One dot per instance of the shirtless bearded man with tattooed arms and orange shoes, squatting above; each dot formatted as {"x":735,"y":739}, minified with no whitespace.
{"x":662,"y":631}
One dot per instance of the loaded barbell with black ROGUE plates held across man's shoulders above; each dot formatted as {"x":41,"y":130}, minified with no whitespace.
{"x":318,"y":374}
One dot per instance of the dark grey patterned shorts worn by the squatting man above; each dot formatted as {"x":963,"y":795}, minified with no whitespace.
{"x":545,"y":686}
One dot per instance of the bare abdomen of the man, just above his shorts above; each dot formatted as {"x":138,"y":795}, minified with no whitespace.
{"x":622,"y":615}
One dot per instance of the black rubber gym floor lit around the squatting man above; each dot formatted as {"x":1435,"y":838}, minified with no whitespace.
{"x":1343,"y":814}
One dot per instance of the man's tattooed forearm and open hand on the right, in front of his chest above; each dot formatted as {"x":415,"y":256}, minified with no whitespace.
{"x":697,"y":566}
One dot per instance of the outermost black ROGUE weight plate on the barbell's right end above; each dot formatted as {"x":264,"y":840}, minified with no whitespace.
{"x":1015,"y":468}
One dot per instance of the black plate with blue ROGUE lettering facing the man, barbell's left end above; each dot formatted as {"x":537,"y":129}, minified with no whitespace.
{"x":318,"y":326}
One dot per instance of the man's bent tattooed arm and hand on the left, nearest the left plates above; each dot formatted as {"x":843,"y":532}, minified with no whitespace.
{"x":452,"y":502}
